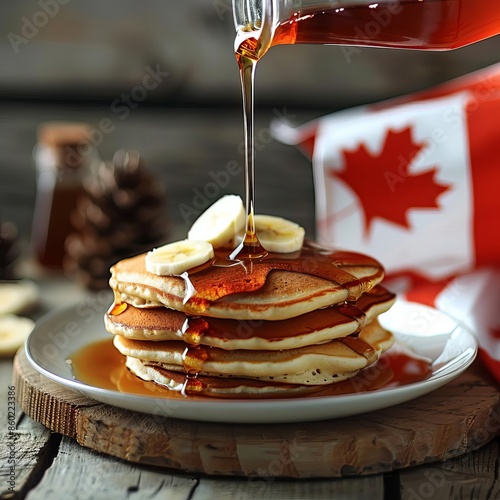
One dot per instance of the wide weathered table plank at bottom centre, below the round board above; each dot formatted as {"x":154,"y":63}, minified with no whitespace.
{"x":80,"y":473}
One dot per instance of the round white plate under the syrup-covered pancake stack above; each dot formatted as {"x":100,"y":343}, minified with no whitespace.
{"x":424,"y":330}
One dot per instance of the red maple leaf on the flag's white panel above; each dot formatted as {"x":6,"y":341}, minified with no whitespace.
{"x":384,"y":184}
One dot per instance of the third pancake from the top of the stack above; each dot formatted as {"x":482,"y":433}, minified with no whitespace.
{"x":318,"y":364}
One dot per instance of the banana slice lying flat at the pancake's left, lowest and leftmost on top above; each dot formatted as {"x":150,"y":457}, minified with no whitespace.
{"x":175,"y":258}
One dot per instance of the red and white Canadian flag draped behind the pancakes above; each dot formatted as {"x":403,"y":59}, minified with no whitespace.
{"x":415,"y":182}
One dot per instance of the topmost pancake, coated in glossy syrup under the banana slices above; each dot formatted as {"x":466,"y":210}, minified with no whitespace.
{"x":273,"y":289}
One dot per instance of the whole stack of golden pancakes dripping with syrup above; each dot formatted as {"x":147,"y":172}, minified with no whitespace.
{"x":276,"y":326}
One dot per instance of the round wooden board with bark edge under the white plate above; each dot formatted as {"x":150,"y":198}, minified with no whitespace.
{"x":453,"y":420}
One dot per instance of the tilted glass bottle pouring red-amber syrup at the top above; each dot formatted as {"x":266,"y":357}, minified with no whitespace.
{"x":411,"y":24}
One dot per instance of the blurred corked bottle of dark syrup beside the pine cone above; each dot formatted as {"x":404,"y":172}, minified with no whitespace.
{"x":63,"y":155}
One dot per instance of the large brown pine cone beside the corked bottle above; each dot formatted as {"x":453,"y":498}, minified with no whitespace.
{"x":122,"y":214}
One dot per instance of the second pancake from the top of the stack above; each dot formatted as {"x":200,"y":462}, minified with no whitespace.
{"x":322,"y":325}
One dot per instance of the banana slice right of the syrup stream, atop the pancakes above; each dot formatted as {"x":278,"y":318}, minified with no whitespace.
{"x":279,"y":235}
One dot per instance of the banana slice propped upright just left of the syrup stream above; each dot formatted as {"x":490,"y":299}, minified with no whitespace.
{"x":221,"y":224}
